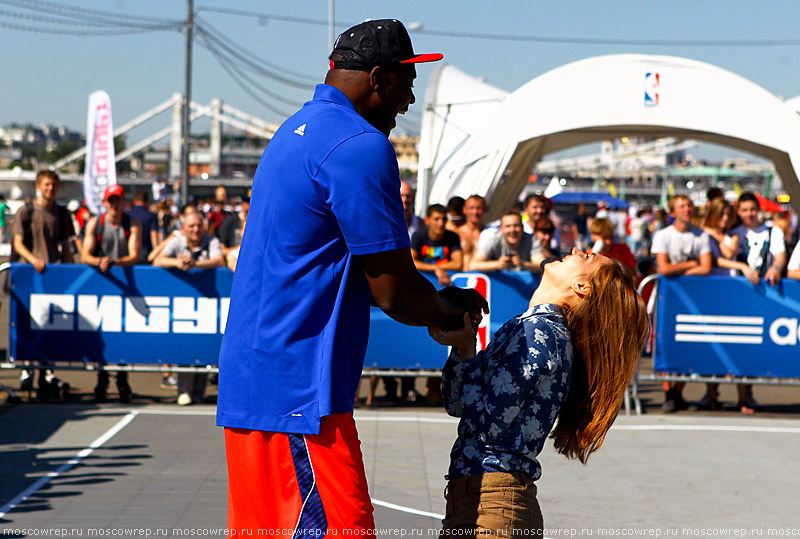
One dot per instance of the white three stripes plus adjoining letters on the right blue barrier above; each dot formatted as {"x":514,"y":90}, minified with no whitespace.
{"x":735,"y":329}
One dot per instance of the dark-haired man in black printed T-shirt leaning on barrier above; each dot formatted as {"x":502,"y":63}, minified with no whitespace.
{"x":435,"y":249}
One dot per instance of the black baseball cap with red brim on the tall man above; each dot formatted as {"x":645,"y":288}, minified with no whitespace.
{"x":375,"y":43}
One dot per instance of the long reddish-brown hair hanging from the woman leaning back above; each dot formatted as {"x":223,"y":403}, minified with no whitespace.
{"x":608,"y":328}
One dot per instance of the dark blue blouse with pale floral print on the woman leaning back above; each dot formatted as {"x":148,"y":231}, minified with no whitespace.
{"x":509,"y":395}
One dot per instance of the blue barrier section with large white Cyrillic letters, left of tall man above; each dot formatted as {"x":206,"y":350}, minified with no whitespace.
{"x":133,"y":315}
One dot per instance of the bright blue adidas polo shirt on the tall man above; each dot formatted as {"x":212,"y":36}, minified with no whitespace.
{"x":327,"y":188}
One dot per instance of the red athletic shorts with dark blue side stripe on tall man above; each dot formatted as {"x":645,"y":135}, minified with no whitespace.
{"x":296,"y":485}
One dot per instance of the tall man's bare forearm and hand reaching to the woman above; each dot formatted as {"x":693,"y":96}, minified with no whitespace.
{"x":408,"y":297}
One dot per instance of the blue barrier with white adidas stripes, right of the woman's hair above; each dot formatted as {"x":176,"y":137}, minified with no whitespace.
{"x":726,"y":326}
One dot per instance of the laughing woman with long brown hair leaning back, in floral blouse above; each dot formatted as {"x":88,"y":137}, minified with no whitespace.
{"x":569,"y":356}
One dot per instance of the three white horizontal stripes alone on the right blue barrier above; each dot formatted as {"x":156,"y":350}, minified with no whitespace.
{"x":719,"y":329}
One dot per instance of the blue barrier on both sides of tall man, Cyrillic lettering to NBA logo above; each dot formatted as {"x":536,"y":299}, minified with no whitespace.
{"x":142,"y":315}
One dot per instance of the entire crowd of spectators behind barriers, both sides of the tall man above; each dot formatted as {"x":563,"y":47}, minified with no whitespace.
{"x":720,"y":238}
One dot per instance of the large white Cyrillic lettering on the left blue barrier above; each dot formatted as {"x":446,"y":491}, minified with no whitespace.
{"x":148,"y":314}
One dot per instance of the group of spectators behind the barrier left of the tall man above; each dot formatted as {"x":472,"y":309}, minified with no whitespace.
{"x":131,"y":230}
